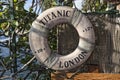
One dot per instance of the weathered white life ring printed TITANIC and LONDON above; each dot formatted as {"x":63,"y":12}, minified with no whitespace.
{"x":47,"y":20}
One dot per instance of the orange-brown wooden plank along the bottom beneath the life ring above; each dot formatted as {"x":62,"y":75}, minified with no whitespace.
{"x":89,"y":76}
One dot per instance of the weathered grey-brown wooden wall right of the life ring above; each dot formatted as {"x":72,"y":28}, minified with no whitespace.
{"x":107,"y":50}
